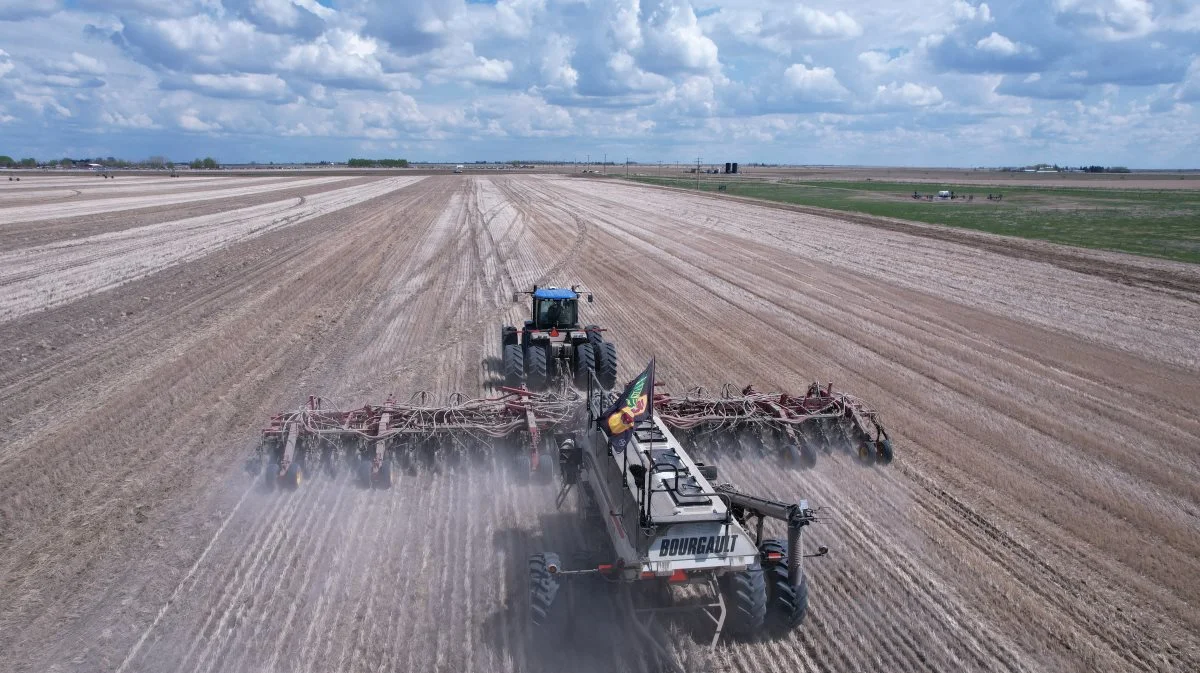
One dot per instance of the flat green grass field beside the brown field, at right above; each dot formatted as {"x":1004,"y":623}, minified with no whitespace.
{"x":1153,"y":223}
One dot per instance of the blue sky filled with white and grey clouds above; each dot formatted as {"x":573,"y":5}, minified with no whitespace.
{"x":877,"y":82}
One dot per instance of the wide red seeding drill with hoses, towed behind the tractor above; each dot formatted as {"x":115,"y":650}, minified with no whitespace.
{"x":374,"y":440}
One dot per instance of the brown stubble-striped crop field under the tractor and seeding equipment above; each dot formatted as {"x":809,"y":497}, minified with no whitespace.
{"x":1043,"y":513}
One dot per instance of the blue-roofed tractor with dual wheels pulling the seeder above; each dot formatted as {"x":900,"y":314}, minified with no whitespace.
{"x":554,"y":346}
